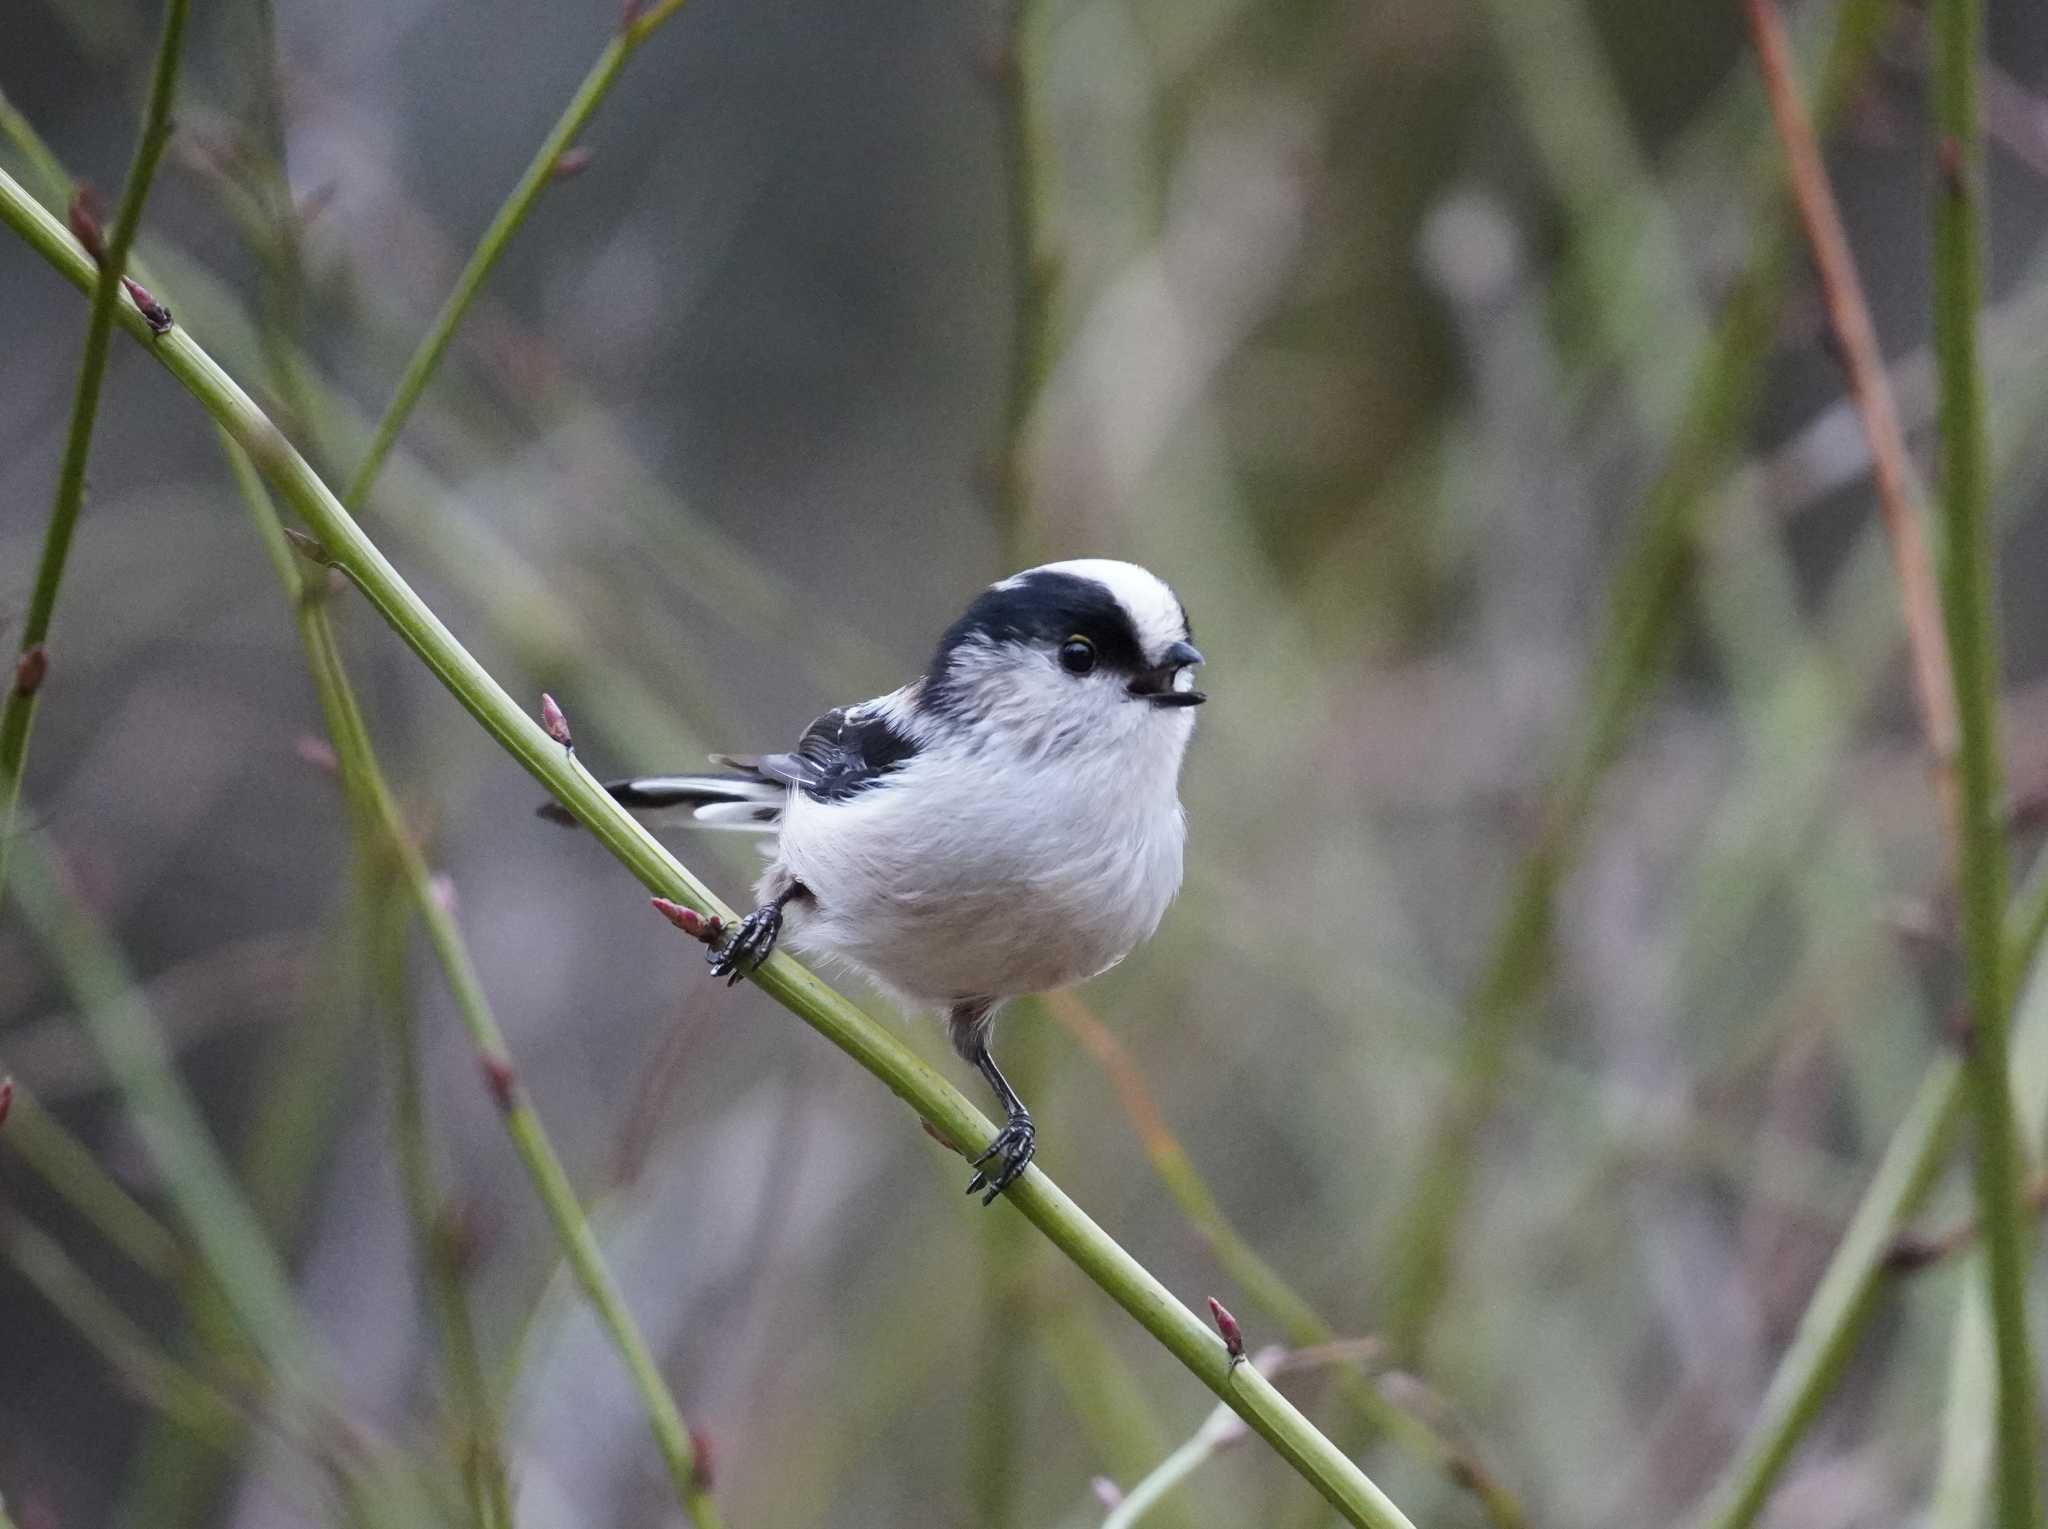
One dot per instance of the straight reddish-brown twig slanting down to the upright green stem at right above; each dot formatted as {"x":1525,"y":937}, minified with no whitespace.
{"x":1857,"y":343}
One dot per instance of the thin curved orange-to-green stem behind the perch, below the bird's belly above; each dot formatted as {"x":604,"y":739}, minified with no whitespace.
{"x":1267,"y":1286}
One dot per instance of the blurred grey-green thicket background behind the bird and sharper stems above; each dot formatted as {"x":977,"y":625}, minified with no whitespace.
{"x":1566,"y":926}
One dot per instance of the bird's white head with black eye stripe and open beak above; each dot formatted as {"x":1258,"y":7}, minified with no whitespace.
{"x":1072,"y":656}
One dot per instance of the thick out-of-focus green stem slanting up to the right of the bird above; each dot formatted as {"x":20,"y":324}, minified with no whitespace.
{"x":1644,"y":605}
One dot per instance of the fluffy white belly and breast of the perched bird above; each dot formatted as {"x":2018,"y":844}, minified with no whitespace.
{"x":949,"y":895}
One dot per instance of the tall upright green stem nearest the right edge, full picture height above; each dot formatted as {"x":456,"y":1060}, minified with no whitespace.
{"x":1973,"y":654}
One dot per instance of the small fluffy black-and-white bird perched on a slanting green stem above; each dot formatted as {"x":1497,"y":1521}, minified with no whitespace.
{"x":1007,"y":824}
